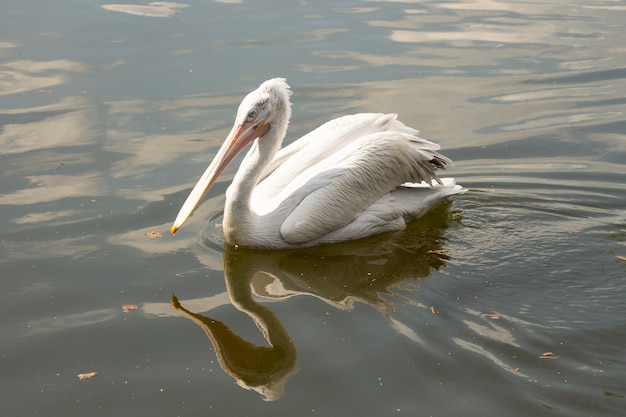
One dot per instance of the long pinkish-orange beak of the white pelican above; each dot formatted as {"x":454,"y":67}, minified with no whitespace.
{"x":238,"y":138}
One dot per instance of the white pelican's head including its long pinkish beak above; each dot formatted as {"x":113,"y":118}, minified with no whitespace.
{"x":263,"y":110}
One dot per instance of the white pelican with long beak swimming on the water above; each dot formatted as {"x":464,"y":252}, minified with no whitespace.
{"x":352,"y":177}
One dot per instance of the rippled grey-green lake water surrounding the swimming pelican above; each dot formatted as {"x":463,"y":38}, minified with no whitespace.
{"x":508,"y":301}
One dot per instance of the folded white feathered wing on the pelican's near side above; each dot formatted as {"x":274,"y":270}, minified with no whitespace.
{"x":336,"y":189}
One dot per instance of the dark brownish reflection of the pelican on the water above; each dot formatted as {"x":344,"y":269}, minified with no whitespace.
{"x":369,"y":271}
